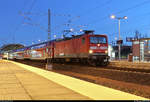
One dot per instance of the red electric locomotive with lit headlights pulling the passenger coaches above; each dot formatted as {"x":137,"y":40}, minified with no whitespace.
{"x":86,"y":48}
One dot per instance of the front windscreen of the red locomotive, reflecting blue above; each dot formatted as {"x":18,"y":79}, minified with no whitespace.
{"x":98,"y":40}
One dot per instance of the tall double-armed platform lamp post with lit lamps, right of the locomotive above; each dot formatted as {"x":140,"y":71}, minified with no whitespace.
{"x":119,"y":41}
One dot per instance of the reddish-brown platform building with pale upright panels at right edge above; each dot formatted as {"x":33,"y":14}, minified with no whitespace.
{"x":141,"y":50}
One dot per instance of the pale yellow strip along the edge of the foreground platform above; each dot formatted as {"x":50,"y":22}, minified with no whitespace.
{"x":91,"y":90}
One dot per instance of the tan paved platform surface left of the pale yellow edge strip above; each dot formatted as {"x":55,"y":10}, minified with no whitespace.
{"x":17,"y":83}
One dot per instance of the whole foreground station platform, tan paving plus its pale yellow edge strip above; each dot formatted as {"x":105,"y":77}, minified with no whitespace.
{"x":23,"y":82}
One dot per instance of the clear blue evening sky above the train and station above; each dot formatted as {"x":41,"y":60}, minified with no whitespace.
{"x":17,"y":27}
